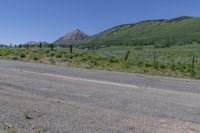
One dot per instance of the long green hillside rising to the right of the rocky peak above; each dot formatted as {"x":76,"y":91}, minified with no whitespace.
{"x":183,"y":28}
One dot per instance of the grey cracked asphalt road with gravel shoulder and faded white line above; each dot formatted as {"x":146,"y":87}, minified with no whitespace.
{"x":73,"y":100}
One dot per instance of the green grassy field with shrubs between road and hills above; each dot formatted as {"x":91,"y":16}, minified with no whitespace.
{"x":176,"y":61}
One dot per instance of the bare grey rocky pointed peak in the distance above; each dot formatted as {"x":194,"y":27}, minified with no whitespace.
{"x":72,"y":37}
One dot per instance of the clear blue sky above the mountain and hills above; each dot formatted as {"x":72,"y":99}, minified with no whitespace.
{"x":47,"y":20}
